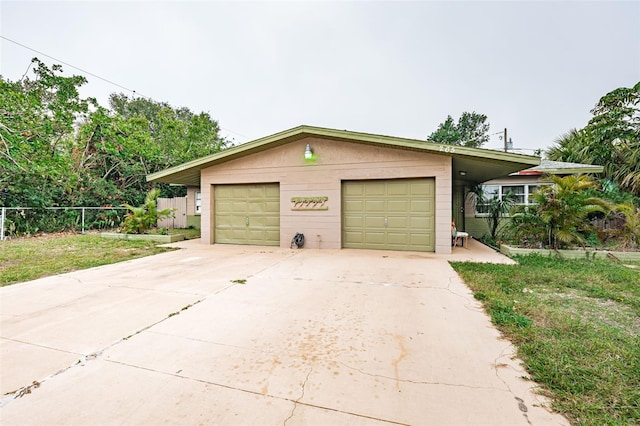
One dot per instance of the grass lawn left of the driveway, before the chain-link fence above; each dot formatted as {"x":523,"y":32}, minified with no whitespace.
{"x":25,"y":259}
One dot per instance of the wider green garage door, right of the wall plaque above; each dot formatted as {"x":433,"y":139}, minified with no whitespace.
{"x":396,"y":214}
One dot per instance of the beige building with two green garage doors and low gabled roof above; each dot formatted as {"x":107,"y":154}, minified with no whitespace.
{"x":339,"y":188}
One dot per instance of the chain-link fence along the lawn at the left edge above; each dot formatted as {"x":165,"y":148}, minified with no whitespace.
{"x":15,"y":221}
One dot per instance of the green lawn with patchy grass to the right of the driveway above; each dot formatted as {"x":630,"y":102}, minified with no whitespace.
{"x":576,"y":324}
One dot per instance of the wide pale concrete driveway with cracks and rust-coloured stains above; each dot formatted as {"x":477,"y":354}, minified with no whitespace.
{"x":311,"y":338}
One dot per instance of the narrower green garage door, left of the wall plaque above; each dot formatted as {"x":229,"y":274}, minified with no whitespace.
{"x":247,"y":214}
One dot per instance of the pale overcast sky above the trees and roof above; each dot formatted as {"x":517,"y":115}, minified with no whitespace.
{"x":391,"y":68}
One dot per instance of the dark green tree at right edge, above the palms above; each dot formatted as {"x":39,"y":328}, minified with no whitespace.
{"x":610,"y":139}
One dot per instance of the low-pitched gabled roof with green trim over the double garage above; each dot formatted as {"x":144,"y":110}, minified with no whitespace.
{"x":469,"y":164}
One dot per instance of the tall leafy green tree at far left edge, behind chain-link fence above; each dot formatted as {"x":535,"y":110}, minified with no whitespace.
{"x":37,"y":118}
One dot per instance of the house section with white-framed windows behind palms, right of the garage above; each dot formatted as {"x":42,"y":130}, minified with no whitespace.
{"x":522,"y":184}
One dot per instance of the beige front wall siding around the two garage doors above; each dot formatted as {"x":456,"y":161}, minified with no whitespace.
{"x":335,"y":162}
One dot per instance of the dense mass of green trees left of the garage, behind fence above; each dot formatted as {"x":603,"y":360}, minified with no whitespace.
{"x":59,"y":149}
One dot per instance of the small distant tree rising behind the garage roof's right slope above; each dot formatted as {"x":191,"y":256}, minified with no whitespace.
{"x":471,"y":130}
